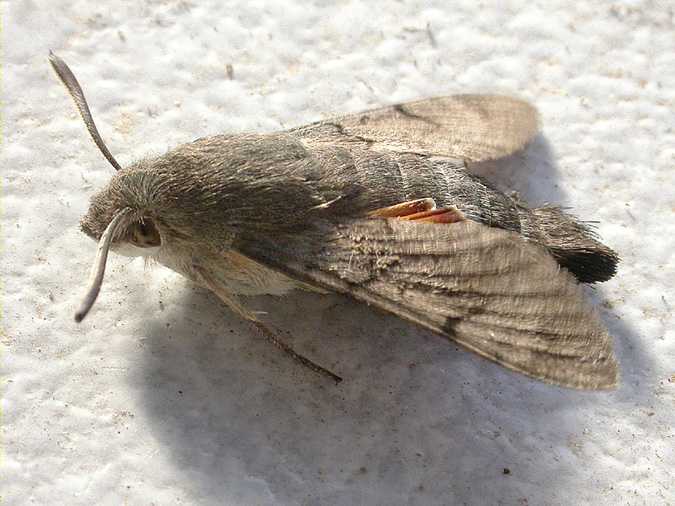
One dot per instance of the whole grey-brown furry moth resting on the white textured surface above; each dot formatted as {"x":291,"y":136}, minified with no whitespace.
{"x":379,"y":206}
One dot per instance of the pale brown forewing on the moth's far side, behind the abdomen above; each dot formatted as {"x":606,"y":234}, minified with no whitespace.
{"x":469,"y":127}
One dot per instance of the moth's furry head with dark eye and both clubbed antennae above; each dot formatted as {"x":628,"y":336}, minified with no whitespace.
{"x":120,"y":216}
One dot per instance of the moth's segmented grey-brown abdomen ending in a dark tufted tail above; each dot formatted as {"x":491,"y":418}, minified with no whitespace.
{"x":384,"y":179}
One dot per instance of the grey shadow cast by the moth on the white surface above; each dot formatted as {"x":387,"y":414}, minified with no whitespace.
{"x":416,"y":420}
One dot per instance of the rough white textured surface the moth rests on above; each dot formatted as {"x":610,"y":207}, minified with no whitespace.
{"x":162,"y":396}
